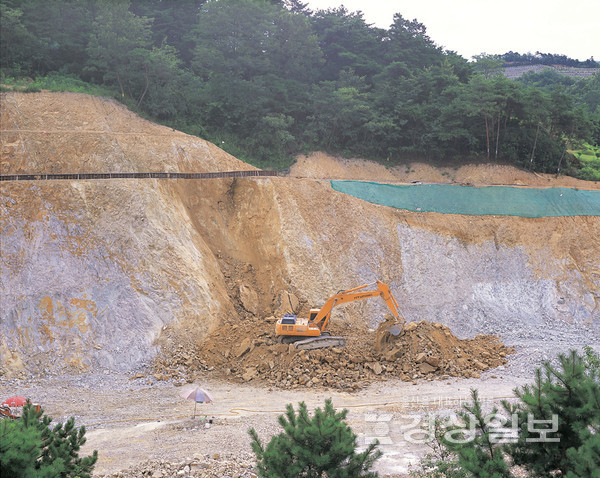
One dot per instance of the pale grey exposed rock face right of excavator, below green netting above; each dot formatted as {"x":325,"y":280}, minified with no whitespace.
{"x":478,"y":288}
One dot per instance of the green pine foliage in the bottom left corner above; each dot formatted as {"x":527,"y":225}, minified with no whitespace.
{"x":29,"y":447}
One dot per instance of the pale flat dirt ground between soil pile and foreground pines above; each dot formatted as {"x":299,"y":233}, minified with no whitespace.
{"x":130,"y":420}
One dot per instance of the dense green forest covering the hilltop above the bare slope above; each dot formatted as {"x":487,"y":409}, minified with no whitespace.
{"x":267,"y":80}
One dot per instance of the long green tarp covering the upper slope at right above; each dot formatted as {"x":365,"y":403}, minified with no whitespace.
{"x":489,"y":200}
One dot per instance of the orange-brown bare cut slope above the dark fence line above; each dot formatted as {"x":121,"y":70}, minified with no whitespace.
{"x":69,"y":132}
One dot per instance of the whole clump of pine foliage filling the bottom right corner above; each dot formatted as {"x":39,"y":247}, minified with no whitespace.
{"x":554,"y":428}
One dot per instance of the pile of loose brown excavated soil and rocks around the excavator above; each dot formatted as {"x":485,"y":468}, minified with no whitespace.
{"x":247,"y":351}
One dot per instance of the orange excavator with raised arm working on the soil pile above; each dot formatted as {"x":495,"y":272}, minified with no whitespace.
{"x":312,"y":333}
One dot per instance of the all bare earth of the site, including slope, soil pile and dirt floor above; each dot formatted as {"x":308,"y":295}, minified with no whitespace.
{"x":116,"y":294}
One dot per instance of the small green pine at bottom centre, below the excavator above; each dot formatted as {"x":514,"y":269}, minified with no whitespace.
{"x":314,"y":447}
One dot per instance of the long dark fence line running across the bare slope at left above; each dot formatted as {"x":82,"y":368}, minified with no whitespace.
{"x":220,"y":174}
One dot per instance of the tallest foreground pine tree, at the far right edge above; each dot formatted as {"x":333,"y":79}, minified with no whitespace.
{"x":559,"y":420}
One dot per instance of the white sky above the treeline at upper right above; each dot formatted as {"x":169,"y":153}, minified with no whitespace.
{"x":471,"y":27}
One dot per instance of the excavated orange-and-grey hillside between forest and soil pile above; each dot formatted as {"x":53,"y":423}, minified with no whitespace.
{"x":103,"y":273}
